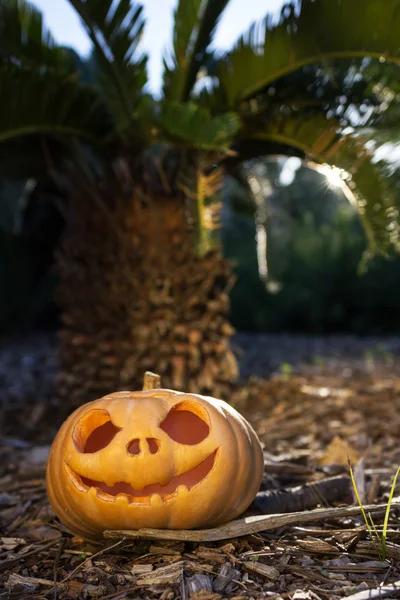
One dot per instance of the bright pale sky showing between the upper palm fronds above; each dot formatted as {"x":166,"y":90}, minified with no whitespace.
{"x":66,"y":28}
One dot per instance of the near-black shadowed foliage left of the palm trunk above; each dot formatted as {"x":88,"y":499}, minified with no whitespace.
{"x":28,"y":236}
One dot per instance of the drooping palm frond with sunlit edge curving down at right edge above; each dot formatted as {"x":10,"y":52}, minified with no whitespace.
{"x":312,"y":135}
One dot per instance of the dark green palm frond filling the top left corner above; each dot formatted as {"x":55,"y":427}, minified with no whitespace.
{"x":23,"y":37}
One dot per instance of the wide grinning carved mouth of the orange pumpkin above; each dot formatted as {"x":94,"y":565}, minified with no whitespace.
{"x":153,"y":492}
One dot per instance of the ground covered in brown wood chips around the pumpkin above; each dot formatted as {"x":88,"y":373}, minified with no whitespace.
{"x":313,"y":402}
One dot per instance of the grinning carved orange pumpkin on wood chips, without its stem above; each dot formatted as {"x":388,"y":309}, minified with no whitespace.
{"x":156,"y":458}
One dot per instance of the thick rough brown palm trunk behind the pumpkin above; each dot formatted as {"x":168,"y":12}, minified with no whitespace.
{"x":136,"y":296}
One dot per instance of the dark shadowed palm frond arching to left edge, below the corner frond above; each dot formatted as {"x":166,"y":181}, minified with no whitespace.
{"x":46,"y":103}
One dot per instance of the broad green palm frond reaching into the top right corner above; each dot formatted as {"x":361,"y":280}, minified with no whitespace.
{"x":309,"y":32}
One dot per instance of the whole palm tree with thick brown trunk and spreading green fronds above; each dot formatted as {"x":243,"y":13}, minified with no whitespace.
{"x":143,"y":282}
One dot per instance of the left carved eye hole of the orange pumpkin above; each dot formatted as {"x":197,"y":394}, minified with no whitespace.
{"x":94,"y":431}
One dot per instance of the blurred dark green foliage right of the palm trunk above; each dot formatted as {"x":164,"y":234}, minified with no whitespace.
{"x":315,"y":242}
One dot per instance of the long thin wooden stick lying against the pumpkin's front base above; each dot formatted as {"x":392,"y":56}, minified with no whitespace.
{"x":245,"y":526}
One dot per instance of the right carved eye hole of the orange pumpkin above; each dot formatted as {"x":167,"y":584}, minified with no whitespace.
{"x":187,"y":423}
